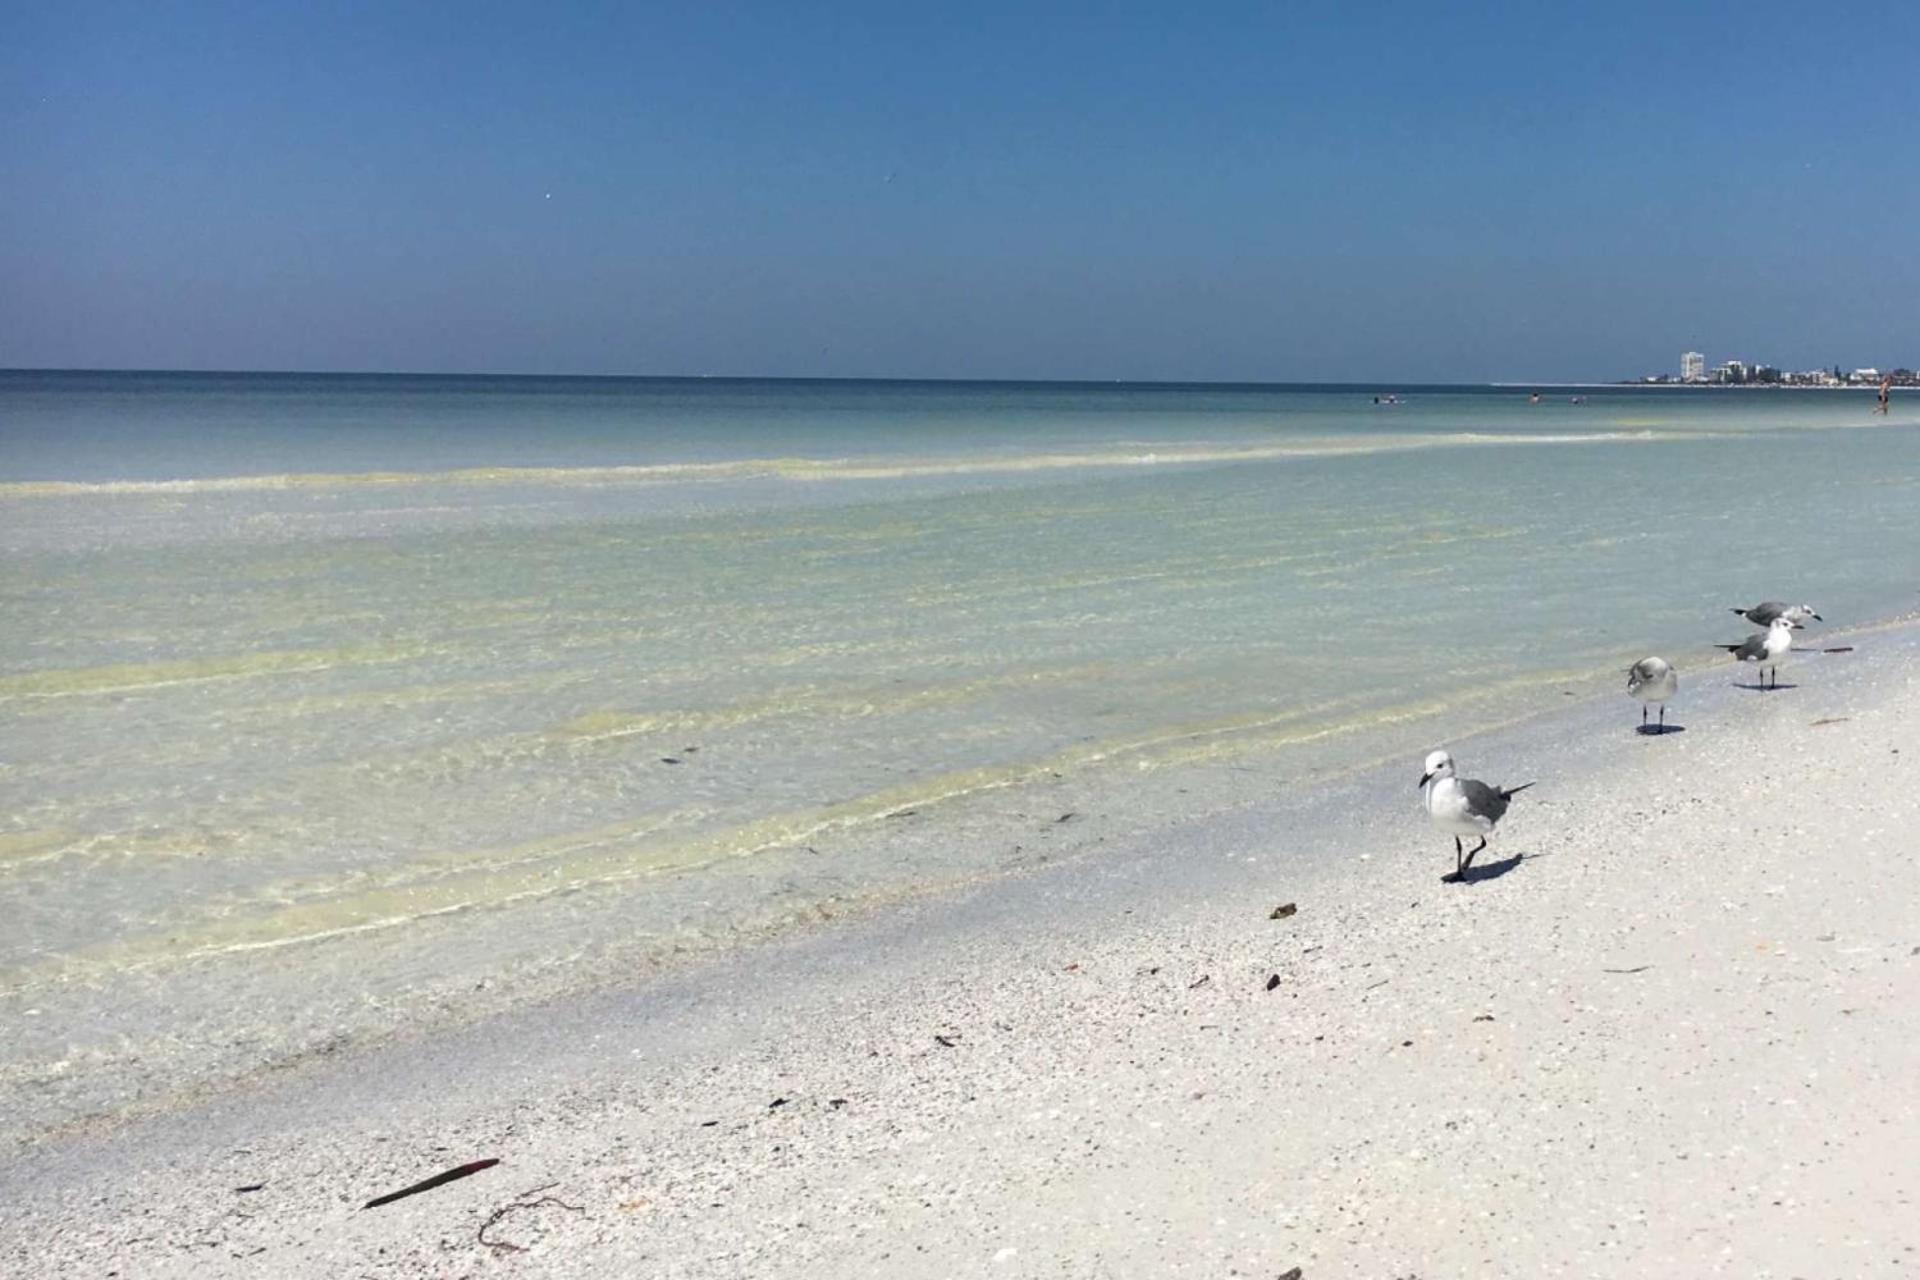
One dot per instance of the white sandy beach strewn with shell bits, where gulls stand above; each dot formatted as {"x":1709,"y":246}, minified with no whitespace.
{"x":1681,"y":1035}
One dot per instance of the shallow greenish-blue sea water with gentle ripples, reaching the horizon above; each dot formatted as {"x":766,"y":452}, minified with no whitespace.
{"x":348,"y":705}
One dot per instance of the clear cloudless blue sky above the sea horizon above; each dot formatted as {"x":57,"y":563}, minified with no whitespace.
{"x":974,"y":191}
